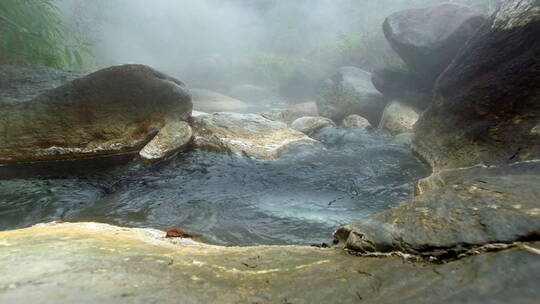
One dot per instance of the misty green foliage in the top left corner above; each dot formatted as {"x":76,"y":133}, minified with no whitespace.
{"x":32,"y":32}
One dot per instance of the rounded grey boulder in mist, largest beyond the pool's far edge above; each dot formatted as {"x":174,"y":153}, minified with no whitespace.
{"x":350,"y":91}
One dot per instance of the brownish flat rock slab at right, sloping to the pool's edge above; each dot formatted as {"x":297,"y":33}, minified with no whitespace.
{"x":457,"y":210}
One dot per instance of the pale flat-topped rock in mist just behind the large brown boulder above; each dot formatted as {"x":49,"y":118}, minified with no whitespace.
{"x":209,"y":101}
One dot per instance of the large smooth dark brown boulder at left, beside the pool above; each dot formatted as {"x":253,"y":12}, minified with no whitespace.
{"x":114,"y":110}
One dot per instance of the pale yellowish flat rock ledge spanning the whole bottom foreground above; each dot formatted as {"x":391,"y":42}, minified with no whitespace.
{"x":107,"y":264}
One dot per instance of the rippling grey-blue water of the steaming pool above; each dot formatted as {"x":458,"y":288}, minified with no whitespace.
{"x":300,"y":198}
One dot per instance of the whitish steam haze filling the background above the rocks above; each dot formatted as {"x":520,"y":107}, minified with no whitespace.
{"x":219,"y":43}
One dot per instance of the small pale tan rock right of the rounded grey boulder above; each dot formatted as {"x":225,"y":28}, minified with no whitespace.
{"x":398,"y":118}
